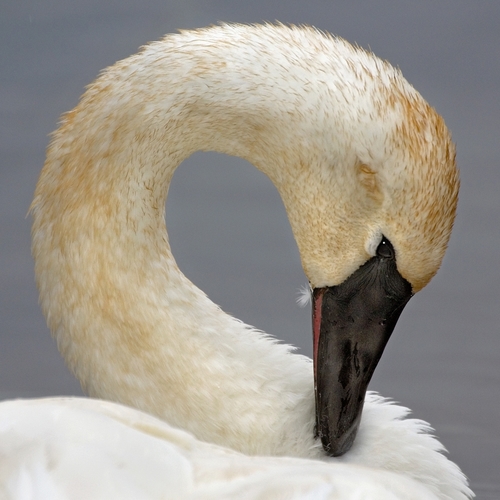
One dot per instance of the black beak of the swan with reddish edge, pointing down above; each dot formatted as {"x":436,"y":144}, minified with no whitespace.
{"x":352,"y":323}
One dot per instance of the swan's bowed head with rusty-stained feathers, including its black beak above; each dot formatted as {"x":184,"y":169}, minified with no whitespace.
{"x":372,"y":214}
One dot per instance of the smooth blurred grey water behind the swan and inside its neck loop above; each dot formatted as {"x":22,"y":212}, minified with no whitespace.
{"x":227,"y":225}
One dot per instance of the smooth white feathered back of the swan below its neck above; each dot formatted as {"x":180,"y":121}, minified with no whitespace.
{"x":75,"y":448}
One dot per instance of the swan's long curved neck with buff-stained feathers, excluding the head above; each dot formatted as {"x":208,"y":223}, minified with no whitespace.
{"x":128,"y":322}
